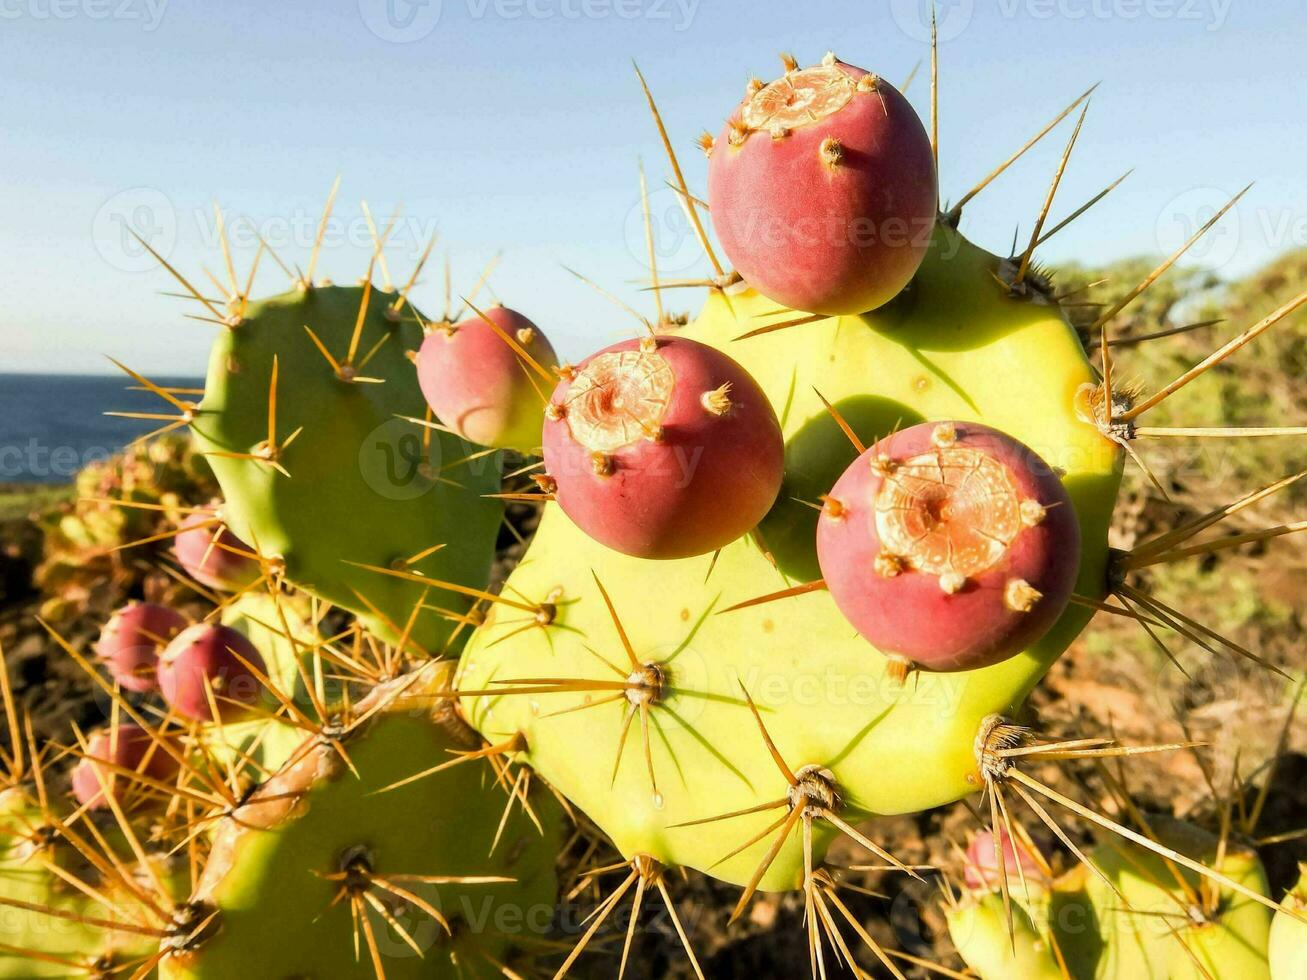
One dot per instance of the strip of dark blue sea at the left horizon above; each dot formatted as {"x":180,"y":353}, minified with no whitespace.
{"x":53,"y":425}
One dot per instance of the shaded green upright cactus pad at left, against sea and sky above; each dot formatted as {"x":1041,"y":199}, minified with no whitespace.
{"x":363,"y":489}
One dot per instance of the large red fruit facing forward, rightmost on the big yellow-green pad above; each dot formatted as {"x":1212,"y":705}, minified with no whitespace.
{"x":950,"y":546}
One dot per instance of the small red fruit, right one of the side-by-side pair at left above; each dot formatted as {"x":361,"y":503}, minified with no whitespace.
{"x":207,"y":658}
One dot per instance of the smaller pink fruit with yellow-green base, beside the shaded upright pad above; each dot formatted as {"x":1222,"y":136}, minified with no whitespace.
{"x":478,"y":384}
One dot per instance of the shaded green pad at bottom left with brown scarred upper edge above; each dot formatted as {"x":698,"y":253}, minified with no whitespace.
{"x":273,"y":881}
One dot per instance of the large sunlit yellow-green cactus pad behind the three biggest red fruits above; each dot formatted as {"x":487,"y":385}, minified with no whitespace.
{"x":956,"y":346}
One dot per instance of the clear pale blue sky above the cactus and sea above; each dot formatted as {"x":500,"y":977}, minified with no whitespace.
{"x":517,"y":126}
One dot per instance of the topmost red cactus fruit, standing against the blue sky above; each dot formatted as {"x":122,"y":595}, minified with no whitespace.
{"x":823,"y":189}
